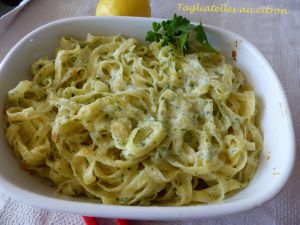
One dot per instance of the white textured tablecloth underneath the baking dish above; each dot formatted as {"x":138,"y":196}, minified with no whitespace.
{"x":277,"y":36}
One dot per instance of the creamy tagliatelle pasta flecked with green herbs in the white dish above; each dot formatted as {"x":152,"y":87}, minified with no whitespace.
{"x":133,"y":124}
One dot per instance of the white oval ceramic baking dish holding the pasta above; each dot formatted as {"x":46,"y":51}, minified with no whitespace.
{"x":279,"y":145}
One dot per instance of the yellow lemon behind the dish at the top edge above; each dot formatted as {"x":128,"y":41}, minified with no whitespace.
{"x":123,"y":8}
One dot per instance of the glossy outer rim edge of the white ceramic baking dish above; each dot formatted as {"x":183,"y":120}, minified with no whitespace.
{"x":157,"y":212}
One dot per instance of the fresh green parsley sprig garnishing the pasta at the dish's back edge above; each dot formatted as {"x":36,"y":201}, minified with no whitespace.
{"x":177,"y":32}
